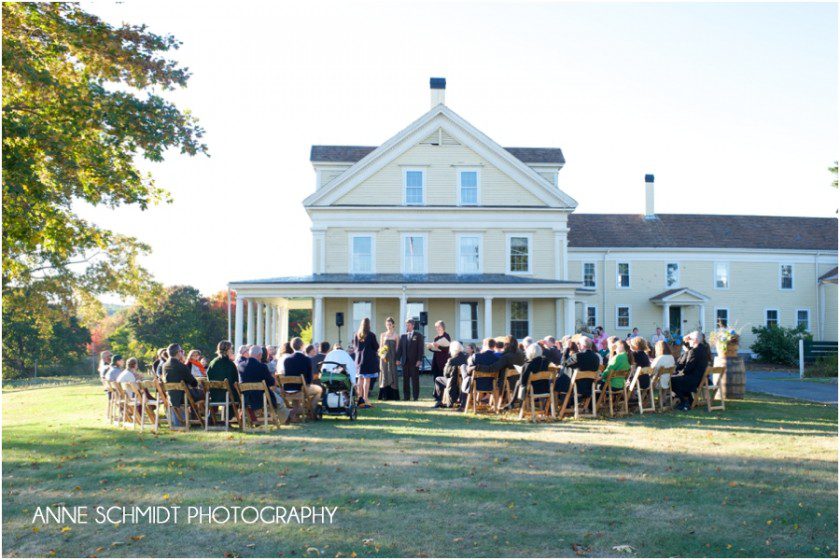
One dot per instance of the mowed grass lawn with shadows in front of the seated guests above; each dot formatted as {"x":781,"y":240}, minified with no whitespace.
{"x":757,"y":480}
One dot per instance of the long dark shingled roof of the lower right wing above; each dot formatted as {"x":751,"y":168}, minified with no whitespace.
{"x":702,"y":231}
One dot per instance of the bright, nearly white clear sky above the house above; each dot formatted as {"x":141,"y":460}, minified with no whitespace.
{"x":733,"y":107}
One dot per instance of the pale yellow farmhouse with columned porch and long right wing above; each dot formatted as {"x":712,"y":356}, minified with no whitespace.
{"x":442,"y":219}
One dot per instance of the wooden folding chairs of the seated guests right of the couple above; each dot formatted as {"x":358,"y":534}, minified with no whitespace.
{"x":648,"y":391}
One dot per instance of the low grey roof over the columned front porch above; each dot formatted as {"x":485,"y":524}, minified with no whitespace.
{"x":408,"y":279}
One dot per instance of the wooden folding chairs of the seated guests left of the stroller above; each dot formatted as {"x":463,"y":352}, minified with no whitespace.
{"x":142,"y":403}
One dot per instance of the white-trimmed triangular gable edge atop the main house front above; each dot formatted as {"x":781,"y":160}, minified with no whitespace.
{"x":441,"y":117}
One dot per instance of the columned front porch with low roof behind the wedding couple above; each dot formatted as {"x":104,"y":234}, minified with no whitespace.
{"x":472,"y":306}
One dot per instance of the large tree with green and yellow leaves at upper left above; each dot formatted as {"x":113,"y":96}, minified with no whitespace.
{"x":81,"y":105}
